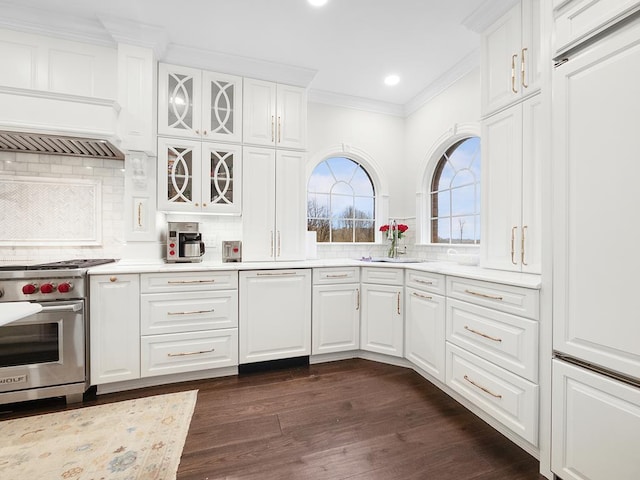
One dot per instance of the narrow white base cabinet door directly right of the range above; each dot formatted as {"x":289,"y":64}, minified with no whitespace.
{"x":114,"y":328}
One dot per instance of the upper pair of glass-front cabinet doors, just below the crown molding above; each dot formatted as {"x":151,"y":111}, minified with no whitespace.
{"x":199,"y":104}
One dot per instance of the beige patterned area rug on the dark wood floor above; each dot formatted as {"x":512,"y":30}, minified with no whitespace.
{"x":138,"y":439}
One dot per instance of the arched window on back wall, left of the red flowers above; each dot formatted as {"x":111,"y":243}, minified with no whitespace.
{"x":341,"y":202}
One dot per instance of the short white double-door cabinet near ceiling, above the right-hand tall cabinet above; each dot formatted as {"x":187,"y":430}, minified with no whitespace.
{"x":511,"y":67}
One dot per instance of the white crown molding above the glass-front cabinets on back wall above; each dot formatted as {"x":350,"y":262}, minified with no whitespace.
{"x":237,"y":65}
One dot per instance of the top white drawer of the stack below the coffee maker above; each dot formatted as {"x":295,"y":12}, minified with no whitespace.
{"x":187,"y":281}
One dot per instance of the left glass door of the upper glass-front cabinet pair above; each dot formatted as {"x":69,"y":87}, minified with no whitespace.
{"x":179,"y":101}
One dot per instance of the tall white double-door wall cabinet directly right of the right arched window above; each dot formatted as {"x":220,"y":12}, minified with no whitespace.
{"x":511,"y":187}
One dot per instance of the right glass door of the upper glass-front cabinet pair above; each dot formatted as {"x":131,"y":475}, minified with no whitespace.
{"x":222,"y":107}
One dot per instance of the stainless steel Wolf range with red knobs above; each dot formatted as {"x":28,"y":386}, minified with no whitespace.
{"x":45,"y":355}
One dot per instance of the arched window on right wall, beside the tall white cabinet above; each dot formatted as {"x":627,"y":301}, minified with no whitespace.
{"x":455,"y":194}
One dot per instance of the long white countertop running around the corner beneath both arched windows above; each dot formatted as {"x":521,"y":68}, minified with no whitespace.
{"x":445,"y":268}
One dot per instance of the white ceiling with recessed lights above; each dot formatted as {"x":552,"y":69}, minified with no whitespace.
{"x":342,"y":50}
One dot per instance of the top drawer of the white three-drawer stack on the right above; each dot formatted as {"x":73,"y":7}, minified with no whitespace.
{"x":506,"y":298}
